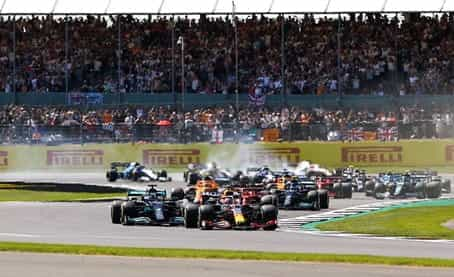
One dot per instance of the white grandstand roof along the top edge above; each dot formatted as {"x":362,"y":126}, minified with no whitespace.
{"x":218,"y":6}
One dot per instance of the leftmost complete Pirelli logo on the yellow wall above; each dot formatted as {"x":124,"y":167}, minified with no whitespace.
{"x":75,"y":158}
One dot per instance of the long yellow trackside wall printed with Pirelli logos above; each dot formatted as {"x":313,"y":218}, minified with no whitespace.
{"x":421,"y":153}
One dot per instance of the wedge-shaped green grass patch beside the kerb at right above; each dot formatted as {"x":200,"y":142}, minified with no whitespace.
{"x":417,"y":222}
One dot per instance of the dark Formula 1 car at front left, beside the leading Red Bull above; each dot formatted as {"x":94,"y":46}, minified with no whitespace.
{"x":148,"y":207}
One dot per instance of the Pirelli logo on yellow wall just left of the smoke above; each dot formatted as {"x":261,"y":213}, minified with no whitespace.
{"x":170,"y":157}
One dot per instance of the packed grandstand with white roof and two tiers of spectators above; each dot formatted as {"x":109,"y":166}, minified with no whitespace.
{"x":308,"y":69}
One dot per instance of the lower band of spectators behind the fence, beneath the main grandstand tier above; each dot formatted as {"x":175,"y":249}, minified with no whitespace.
{"x":167,"y":124}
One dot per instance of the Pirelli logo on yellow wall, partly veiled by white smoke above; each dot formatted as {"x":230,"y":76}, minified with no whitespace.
{"x":290,"y":155}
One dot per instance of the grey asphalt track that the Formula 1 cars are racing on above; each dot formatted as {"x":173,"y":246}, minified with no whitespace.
{"x":89,"y":223}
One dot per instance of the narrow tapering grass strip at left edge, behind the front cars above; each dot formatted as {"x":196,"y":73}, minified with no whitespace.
{"x":51,"y":196}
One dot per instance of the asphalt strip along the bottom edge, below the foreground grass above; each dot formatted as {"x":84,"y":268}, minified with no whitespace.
{"x":43,"y":265}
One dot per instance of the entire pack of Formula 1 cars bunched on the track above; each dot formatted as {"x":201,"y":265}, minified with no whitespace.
{"x":215,"y":198}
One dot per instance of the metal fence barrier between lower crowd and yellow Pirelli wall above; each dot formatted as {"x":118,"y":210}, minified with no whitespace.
{"x":224,"y":132}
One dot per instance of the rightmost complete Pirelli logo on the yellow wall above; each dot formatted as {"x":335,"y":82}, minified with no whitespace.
{"x":372,"y":154}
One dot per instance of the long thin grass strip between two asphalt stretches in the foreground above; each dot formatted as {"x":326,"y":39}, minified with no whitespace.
{"x":220,"y":254}
